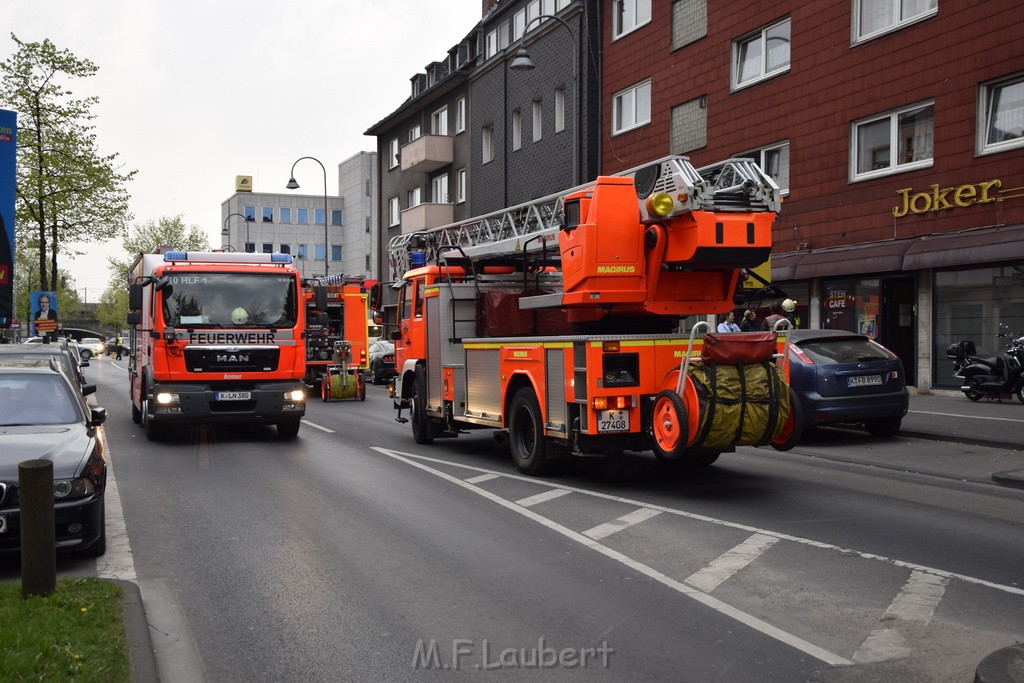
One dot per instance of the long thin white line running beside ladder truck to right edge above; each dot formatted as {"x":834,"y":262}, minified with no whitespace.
{"x":1013,"y":590}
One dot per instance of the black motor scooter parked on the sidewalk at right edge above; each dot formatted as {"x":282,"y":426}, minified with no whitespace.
{"x":990,"y":377}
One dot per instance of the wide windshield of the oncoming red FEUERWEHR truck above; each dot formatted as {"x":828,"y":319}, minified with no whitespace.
{"x":231,"y":301}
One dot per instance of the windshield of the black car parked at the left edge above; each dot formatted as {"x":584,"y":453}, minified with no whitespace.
{"x":36,"y":400}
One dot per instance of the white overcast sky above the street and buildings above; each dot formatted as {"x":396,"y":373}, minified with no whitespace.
{"x":193,"y":94}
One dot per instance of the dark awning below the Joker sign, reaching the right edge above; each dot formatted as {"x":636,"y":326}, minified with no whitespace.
{"x":988,"y":246}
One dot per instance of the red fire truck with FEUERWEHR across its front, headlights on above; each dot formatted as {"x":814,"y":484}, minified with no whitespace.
{"x":216,"y":338}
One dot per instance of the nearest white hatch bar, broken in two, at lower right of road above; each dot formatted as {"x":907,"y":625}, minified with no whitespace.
{"x":917,"y":603}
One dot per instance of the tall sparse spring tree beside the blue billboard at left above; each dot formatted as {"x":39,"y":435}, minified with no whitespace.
{"x":67,"y":192}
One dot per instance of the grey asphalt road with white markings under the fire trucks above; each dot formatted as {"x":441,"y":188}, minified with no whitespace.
{"x":352,"y":554}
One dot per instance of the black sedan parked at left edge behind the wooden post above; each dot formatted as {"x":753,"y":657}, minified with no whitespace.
{"x":45,"y":416}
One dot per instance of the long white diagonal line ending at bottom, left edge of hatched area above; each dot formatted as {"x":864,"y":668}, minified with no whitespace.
{"x":704,"y":599}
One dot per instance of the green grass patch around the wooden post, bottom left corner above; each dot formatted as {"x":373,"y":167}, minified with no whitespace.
{"x":76,"y":634}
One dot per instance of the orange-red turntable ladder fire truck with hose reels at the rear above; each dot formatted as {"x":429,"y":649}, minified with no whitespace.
{"x":560,"y":321}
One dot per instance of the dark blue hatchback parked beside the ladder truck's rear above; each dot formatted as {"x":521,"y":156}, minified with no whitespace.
{"x":842,"y":377}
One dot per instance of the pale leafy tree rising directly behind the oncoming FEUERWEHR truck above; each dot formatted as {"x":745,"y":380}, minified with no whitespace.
{"x":143,"y":239}
